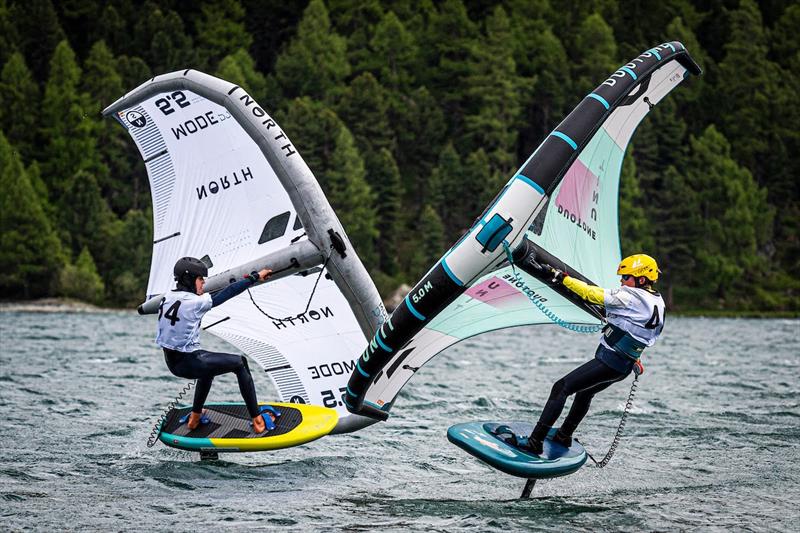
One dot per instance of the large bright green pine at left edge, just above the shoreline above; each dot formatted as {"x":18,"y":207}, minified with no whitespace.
{"x":30,"y":252}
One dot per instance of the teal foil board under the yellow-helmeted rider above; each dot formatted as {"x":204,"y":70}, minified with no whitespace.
{"x":478,"y":439}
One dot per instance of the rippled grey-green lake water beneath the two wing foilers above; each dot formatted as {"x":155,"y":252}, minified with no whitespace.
{"x":712,"y":443}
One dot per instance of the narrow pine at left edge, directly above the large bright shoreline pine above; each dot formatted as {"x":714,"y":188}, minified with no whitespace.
{"x":19,"y":109}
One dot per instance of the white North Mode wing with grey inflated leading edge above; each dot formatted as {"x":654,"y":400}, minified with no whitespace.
{"x":229,"y":187}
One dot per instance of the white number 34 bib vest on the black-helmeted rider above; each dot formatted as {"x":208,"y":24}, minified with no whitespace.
{"x":179,"y":318}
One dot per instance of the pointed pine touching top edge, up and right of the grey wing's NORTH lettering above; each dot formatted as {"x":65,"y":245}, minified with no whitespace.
{"x":315,"y":61}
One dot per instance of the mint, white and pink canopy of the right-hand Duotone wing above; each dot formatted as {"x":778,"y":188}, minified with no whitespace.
{"x":579,"y":226}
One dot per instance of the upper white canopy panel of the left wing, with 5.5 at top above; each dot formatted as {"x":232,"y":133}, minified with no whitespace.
{"x":213,"y":190}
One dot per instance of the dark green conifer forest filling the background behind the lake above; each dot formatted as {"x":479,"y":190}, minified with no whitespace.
{"x":412,"y":115}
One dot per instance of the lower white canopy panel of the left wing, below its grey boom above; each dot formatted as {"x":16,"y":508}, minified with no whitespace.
{"x":307,"y":355}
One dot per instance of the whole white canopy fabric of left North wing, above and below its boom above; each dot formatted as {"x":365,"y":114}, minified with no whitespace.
{"x":216,"y":197}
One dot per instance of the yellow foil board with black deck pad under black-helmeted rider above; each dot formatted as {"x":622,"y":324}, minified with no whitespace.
{"x":230,"y":429}
